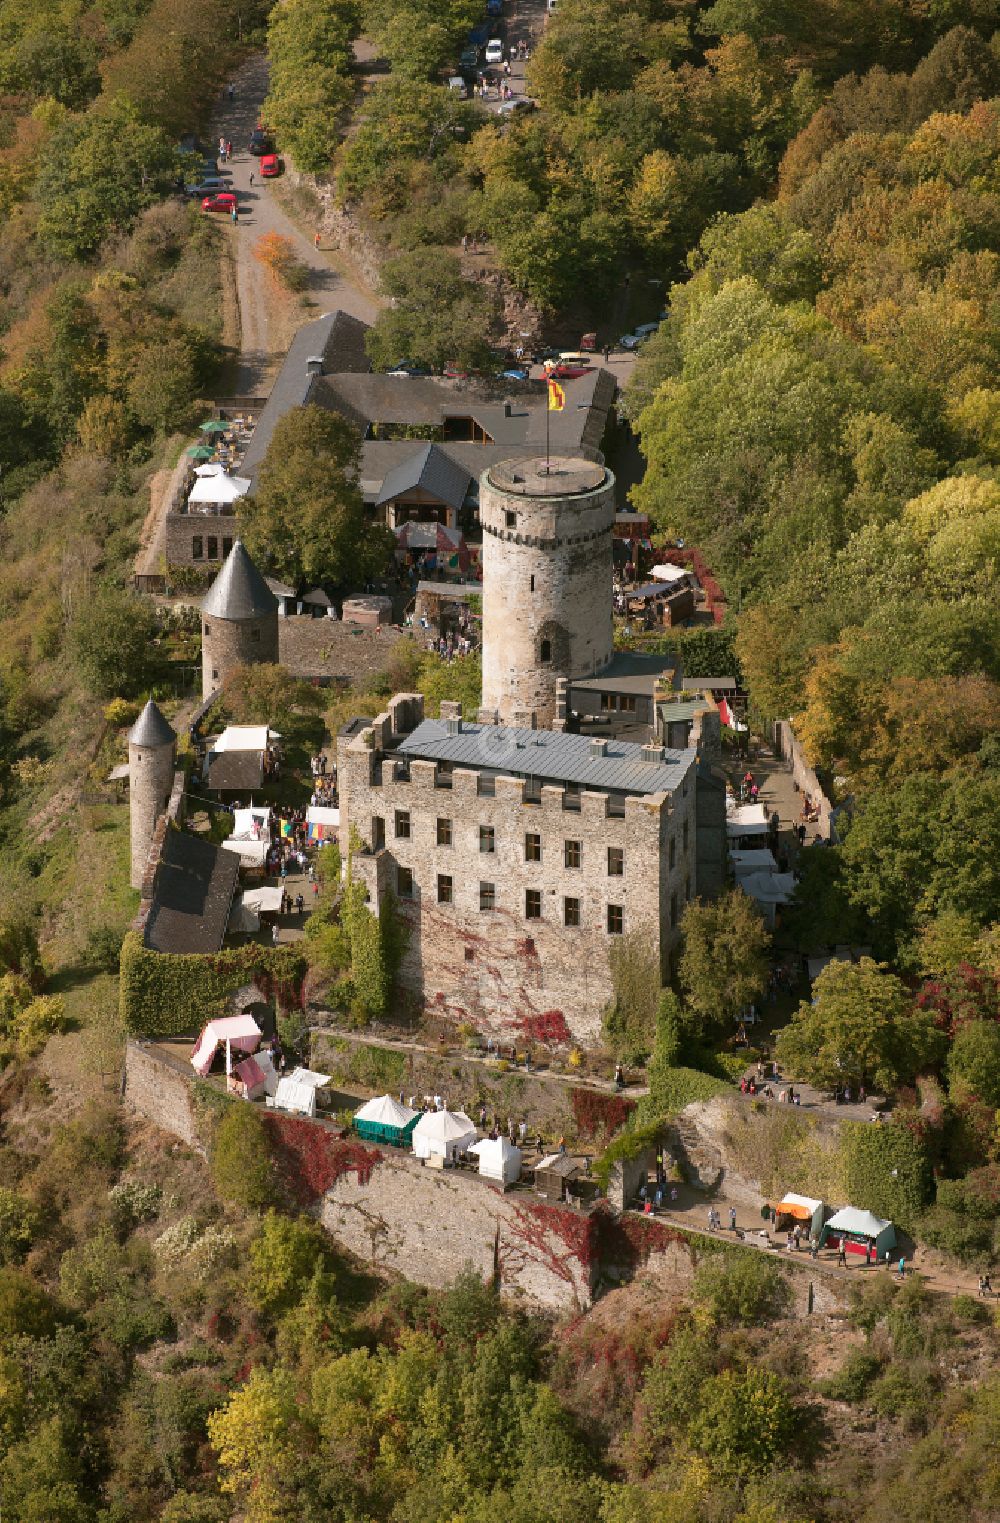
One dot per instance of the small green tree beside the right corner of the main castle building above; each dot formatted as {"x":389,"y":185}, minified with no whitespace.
{"x":724,"y":959}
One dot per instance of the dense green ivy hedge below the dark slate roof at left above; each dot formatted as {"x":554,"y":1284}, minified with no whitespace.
{"x":167,"y":997}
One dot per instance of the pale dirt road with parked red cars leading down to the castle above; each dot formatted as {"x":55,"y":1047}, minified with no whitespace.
{"x":263,"y":336}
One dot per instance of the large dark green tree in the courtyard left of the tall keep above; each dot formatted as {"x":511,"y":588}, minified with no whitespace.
{"x":307,"y":520}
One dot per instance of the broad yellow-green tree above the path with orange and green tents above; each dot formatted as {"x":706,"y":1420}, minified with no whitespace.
{"x":861,"y":1027}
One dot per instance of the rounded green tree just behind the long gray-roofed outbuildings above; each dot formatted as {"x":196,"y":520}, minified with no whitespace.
{"x":436,"y":318}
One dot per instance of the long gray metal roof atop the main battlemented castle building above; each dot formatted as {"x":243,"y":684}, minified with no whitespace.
{"x":549,"y":756}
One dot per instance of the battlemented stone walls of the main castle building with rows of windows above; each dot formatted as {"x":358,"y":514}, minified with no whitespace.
{"x":495,"y":968}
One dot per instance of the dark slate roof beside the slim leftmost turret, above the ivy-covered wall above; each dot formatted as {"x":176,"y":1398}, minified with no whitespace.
{"x":193,"y":896}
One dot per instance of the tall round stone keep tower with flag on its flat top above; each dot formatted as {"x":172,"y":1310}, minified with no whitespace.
{"x":547,"y":581}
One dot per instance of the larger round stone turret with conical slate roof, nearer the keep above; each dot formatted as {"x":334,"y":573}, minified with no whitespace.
{"x":238,"y":621}
